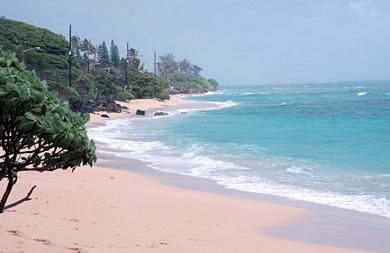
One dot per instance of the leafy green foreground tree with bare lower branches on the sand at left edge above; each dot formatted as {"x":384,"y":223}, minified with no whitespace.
{"x":37,"y":131}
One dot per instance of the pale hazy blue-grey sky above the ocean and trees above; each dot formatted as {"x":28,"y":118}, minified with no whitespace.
{"x":234,"y":41}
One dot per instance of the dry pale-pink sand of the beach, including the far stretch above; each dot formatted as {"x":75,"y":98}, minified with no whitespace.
{"x":101,"y":209}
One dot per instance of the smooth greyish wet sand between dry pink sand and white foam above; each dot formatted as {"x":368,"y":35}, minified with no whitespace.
{"x":349,"y":221}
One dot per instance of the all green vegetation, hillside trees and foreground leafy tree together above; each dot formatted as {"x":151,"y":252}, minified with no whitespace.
{"x":39,"y":130}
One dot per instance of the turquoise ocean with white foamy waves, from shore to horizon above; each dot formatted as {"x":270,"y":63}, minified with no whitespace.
{"x":327,"y":143}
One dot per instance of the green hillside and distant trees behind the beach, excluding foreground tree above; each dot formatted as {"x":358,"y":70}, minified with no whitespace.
{"x":98,"y":73}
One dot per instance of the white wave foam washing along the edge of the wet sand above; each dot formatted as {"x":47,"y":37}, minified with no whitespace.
{"x":191,"y":162}
